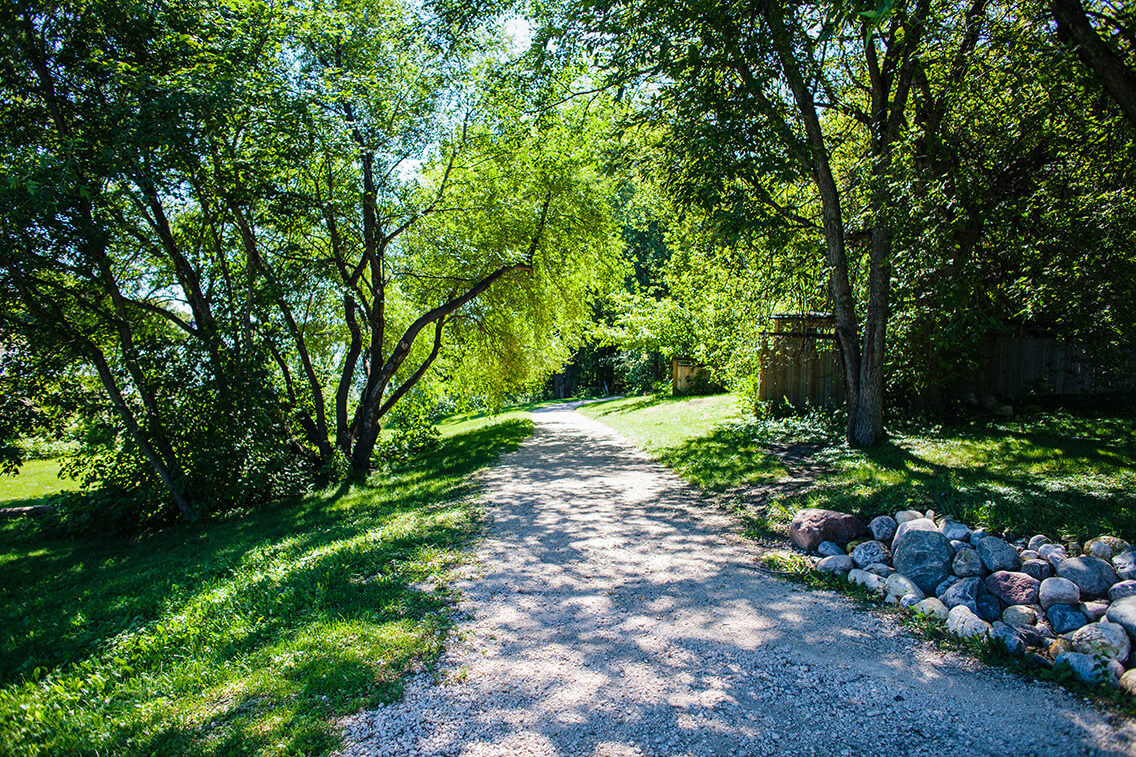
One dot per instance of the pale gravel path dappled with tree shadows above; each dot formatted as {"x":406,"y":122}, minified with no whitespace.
{"x":612,"y":612}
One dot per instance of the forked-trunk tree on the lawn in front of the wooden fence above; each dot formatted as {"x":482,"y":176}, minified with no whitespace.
{"x":759,"y":96}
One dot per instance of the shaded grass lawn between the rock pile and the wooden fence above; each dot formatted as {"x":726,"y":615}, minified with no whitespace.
{"x":1068,"y":475}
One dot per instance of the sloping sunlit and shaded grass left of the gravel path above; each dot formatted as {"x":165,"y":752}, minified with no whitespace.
{"x":246,"y":637}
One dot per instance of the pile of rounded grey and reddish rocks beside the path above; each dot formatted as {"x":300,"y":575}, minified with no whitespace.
{"x":1066,"y":605}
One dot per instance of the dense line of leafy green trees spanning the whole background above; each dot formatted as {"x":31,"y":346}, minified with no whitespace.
{"x":237,"y":237}
